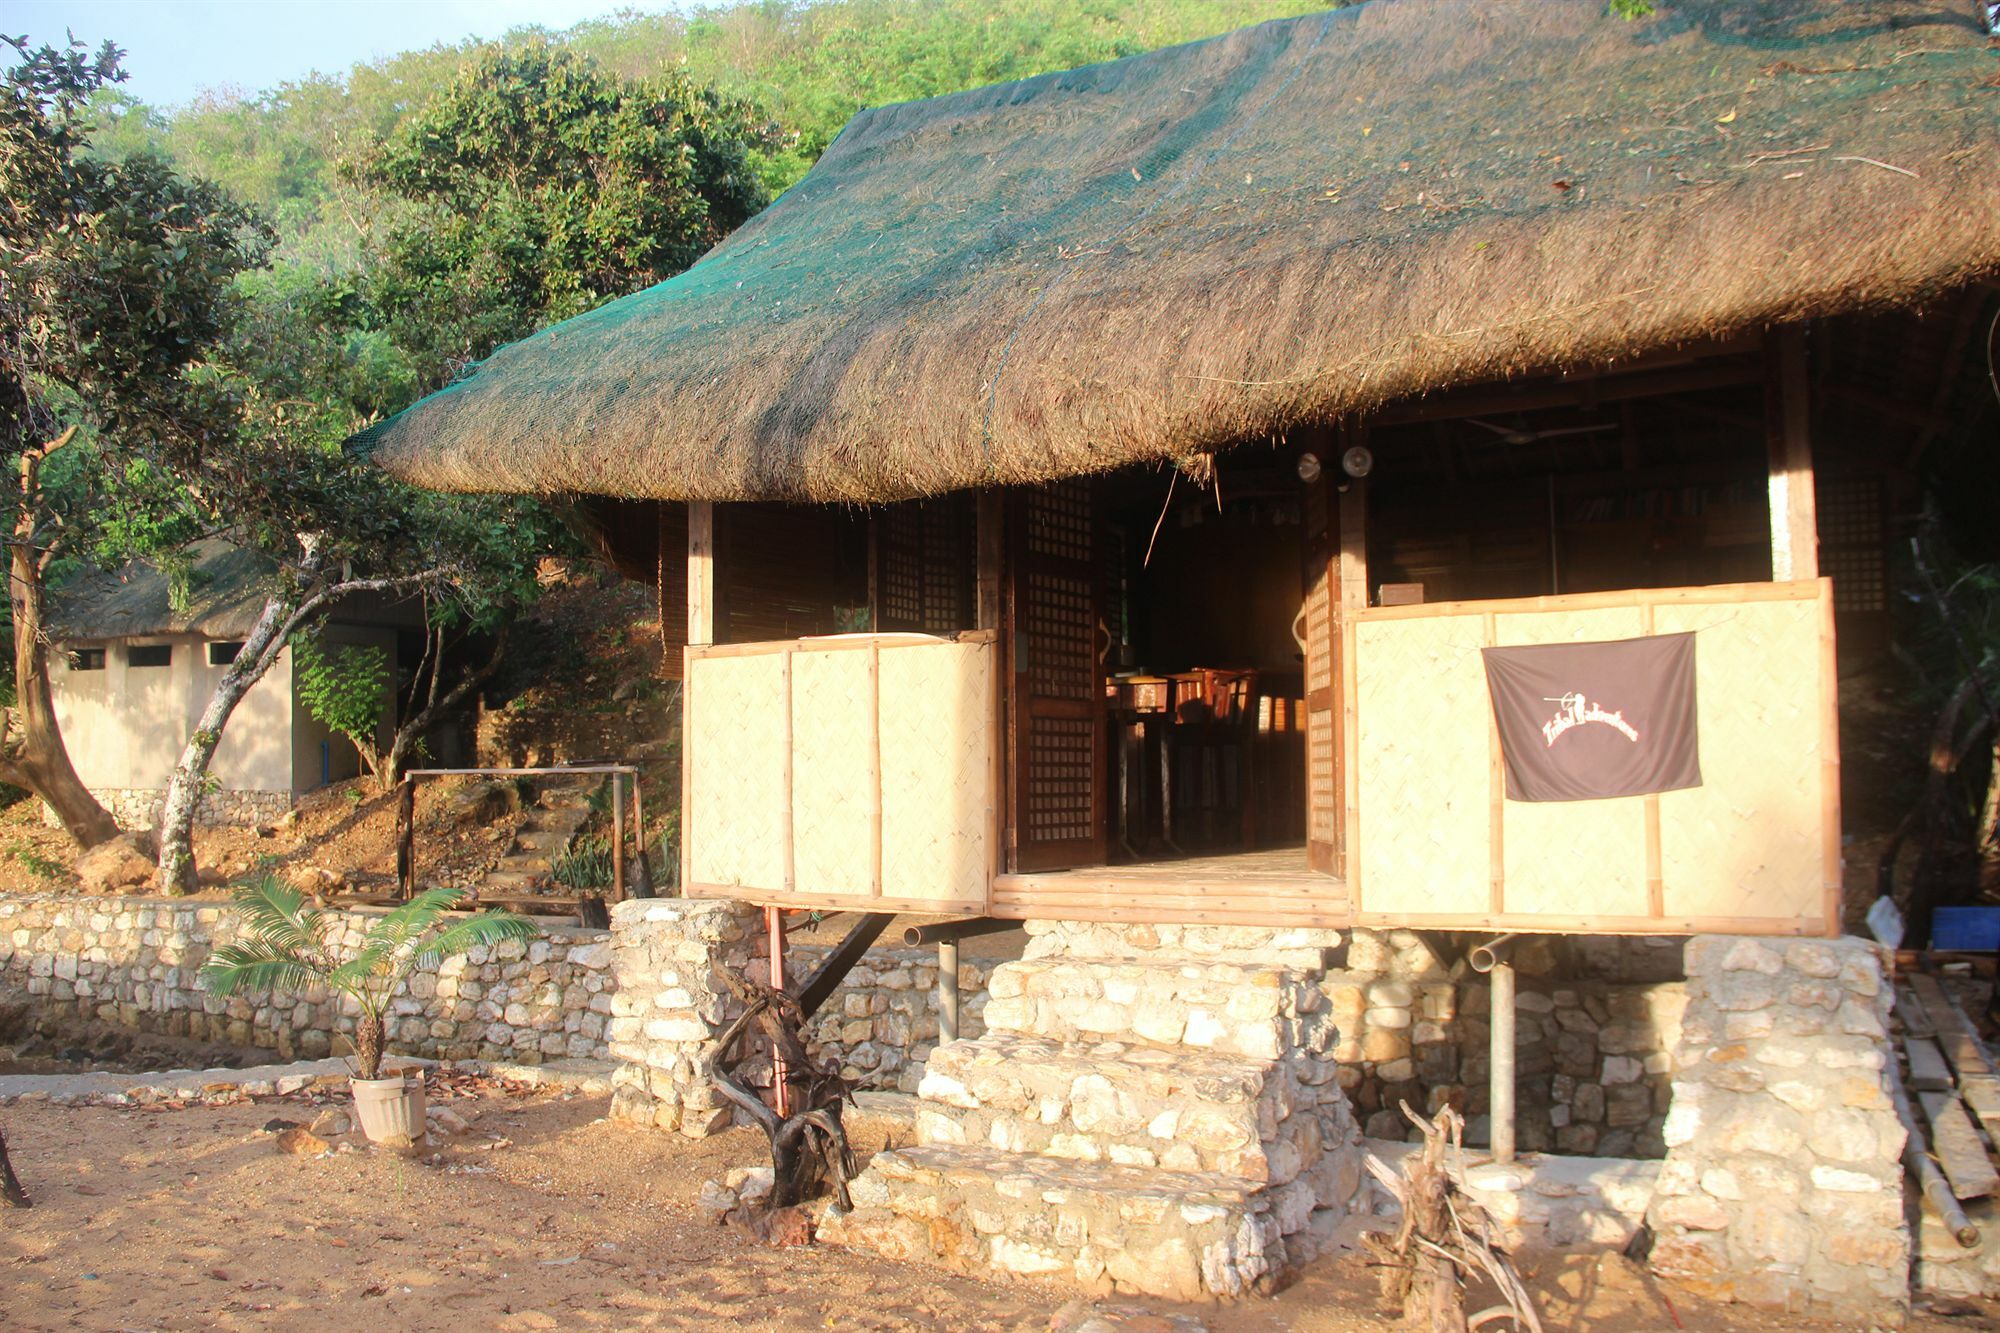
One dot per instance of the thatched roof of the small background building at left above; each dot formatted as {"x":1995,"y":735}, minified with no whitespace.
{"x":225,"y":595}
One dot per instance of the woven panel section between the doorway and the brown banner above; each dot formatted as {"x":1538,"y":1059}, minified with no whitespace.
{"x":1425,"y":766}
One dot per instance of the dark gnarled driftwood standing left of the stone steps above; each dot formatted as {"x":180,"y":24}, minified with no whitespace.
{"x":809,"y":1146}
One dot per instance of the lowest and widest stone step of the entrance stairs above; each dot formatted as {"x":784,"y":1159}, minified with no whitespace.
{"x":1109,"y":1228}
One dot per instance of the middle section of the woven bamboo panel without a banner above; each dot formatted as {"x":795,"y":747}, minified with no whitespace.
{"x":833,"y":774}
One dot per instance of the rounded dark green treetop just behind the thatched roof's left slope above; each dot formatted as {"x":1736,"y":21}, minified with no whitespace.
{"x":541,"y":187}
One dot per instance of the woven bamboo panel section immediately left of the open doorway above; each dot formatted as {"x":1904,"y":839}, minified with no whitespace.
{"x":937,"y":772}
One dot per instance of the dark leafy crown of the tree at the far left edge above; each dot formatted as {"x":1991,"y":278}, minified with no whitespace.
{"x":117,"y":287}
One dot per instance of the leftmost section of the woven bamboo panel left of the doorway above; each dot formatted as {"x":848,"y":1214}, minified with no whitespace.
{"x":737,"y":772}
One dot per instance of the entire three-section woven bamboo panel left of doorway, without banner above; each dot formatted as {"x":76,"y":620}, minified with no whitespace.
{"x":851,"y":774}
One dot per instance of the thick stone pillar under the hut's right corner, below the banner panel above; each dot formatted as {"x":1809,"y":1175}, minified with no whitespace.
{"x":1783,"y":1182}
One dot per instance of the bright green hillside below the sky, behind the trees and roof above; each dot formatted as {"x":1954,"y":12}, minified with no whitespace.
{"x":807,"y":65}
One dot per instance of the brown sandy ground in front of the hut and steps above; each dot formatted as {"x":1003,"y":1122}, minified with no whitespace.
{"x":543,"y":1218}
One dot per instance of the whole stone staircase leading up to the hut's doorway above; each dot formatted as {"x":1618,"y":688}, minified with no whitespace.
{"x":1151,"y":1112}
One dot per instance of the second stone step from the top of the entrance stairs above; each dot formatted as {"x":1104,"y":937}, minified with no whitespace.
{"x":1231,"y":1008}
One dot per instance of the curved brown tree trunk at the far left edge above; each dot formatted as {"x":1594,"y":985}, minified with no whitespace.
{"x":35,"y":754}
